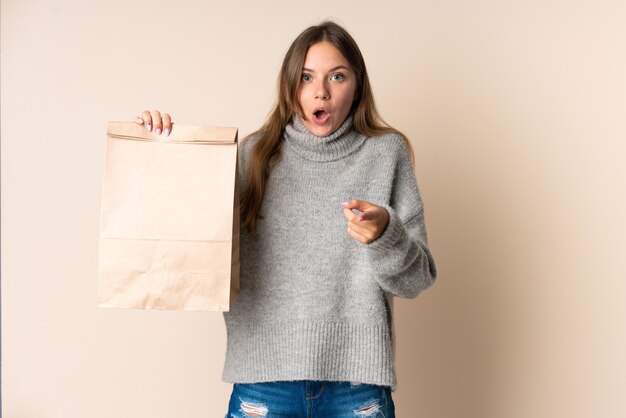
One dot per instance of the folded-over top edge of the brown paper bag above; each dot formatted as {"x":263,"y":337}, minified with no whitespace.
{"x":183,"y":134}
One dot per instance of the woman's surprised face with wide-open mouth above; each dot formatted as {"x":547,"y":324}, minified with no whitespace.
{"x":327,"y":89}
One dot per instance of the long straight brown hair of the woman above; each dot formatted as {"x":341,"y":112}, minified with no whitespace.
{"x":266,"y":151}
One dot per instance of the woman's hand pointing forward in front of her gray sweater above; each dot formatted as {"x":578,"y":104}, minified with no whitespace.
{"x":368,"y":225}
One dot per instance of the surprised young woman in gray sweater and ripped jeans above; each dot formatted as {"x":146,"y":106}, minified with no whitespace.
{"x":332,"y":230}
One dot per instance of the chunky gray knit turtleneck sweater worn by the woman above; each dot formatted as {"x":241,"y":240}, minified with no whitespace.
{"x":315,"y":304}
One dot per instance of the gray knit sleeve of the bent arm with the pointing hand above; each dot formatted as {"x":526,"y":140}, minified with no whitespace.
{"x":400,"y":256}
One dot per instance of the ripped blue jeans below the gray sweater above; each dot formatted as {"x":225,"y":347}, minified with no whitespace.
{"x":310,"y":399}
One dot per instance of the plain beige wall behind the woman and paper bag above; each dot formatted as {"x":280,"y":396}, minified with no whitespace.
{"x":516,"y":110}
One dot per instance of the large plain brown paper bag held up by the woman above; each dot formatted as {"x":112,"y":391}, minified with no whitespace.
{"x":169,"y":227}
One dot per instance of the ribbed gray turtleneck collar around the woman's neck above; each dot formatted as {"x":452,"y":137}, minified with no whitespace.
{"x":341,"y":143}
